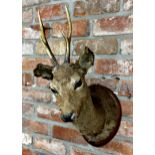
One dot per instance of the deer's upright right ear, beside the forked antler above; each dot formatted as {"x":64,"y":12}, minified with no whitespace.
{"x":86,"y":60}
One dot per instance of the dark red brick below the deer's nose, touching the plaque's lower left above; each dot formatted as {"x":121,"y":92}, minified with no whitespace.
{"x":68,"y":134}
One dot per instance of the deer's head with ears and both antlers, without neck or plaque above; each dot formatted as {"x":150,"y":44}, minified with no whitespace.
{"x":67,"y":80}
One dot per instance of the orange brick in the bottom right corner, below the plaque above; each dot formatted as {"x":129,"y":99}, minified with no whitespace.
{"x":123,"y":148}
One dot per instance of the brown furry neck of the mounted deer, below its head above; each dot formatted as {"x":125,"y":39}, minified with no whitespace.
{"x":91,"y":117}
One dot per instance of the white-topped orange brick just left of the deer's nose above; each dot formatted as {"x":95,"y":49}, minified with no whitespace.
{"x":49,"y":113}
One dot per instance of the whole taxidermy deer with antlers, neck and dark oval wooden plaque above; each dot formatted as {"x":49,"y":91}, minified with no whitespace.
{"x":95,"y":110}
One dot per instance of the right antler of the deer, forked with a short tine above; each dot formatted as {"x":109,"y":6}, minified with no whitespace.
{"x":68,"y":37}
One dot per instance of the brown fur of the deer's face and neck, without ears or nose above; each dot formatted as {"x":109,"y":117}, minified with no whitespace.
{"x":90,"y":120}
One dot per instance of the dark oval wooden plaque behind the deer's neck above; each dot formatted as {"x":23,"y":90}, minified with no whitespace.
{"x":108,"y":107}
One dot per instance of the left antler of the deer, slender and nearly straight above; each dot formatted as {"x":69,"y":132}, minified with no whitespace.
{"x":45,"y":43}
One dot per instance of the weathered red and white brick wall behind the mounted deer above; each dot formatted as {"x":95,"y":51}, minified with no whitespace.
{"x":105,"y":26}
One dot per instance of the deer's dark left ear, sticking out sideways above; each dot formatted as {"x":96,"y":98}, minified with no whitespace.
{"x":44,"y":71}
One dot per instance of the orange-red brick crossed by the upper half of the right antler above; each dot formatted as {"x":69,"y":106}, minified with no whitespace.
{"x":80,"y":28}
